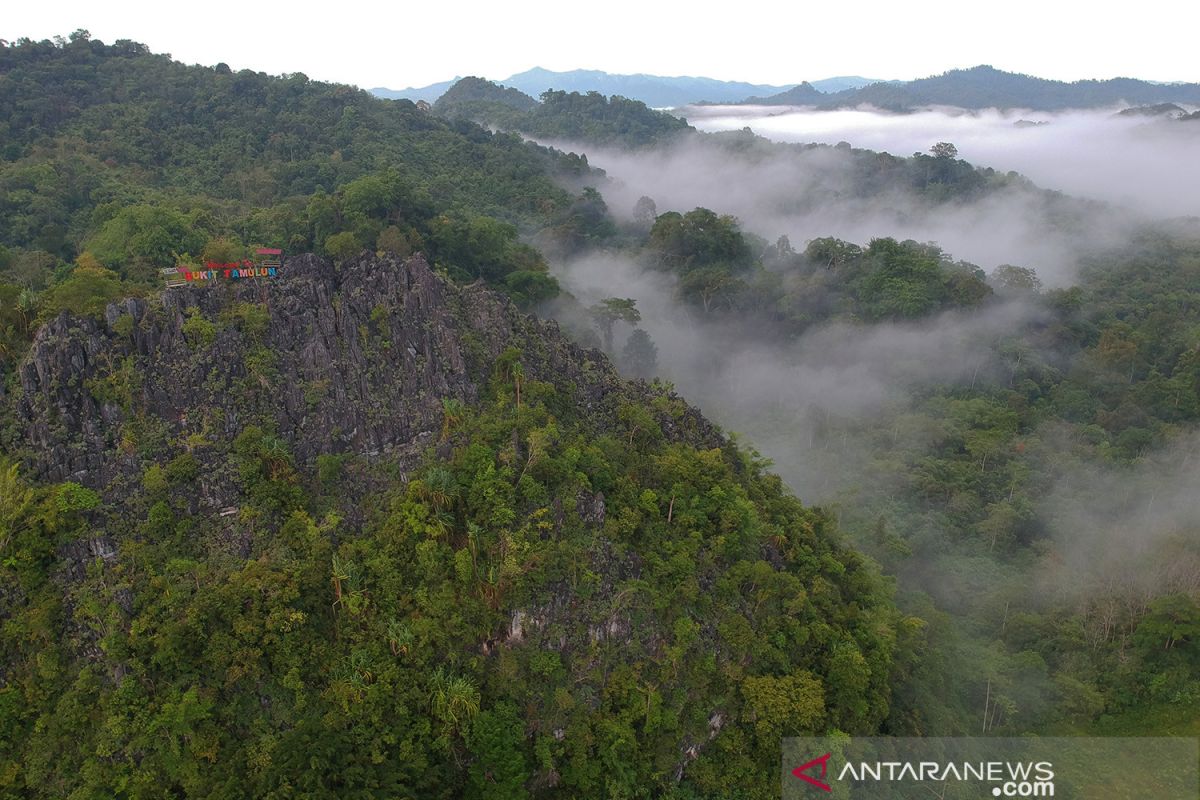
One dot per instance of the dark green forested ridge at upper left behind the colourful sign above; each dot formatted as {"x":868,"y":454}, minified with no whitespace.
{"x":146,"y":161}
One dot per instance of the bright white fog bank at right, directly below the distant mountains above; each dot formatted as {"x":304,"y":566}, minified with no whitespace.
{"x":1151,"y":165}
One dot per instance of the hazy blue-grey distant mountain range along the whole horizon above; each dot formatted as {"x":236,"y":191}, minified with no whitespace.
{"x":983,"y":87}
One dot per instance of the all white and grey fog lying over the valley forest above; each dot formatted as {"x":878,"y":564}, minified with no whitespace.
{"x":784,"y":396}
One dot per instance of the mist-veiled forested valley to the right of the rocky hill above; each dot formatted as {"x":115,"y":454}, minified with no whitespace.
{"x":1035,"y":462}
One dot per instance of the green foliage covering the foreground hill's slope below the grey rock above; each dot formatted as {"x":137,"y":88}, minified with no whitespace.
{"x":476,"y":630}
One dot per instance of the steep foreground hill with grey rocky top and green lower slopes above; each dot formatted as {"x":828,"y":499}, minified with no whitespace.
{"x":362,"y":532}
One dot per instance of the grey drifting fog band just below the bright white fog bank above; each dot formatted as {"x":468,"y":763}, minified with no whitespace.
{"x":812,"y":194}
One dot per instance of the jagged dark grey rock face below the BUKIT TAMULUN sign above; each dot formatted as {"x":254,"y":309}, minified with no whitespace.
{"x":356,"y":359}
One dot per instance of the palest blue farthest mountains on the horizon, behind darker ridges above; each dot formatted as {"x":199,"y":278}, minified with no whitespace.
{"x":657,"y":92}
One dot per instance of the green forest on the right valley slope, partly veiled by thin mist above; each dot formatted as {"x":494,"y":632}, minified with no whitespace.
{"x":967,"y":483}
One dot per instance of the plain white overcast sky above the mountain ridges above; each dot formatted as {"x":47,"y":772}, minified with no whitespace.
{"x":409,"y":44}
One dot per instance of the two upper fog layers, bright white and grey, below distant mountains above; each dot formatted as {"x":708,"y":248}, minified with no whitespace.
{"x":1113,"y":172}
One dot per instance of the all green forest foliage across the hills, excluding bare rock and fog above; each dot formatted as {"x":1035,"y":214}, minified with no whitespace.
{"x":544,"y":606}
